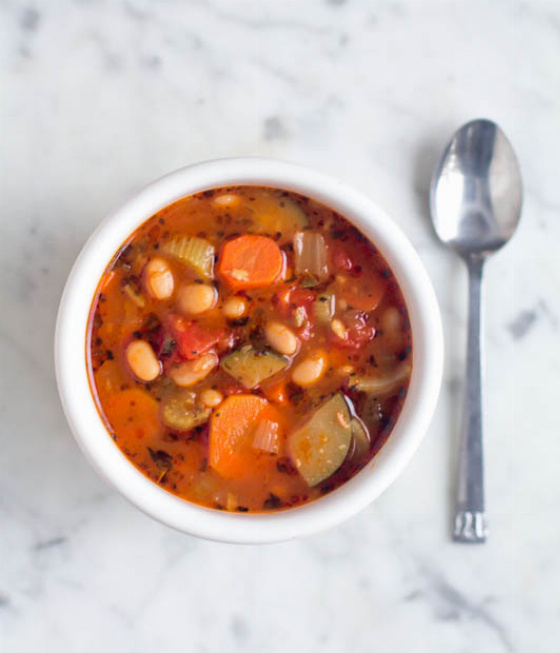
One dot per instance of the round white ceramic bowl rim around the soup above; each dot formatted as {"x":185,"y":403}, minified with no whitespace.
{"x":353,"y":495}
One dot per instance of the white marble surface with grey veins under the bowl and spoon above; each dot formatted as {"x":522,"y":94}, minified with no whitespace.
{"x":97,"y":99}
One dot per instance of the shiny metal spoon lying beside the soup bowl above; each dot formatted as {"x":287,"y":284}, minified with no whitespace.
{"x":475,"y":201}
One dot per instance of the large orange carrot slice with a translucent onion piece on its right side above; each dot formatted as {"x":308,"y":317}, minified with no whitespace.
{"x":232,"y":428}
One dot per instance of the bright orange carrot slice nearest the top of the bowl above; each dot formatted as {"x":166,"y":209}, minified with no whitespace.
{"x":250,"y":262}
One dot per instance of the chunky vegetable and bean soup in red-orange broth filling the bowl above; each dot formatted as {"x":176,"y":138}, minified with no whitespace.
{"x":249,"y":349}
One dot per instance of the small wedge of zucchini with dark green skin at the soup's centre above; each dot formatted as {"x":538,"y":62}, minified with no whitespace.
{"x":252,"y":366}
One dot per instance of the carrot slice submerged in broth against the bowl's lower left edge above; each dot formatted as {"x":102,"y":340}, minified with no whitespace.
{"x":133,"y":415}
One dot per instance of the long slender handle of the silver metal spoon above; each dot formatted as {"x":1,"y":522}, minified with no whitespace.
{"x":470,"y":515}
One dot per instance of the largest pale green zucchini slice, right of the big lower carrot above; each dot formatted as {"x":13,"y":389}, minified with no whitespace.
{"x":319,"y":447}
